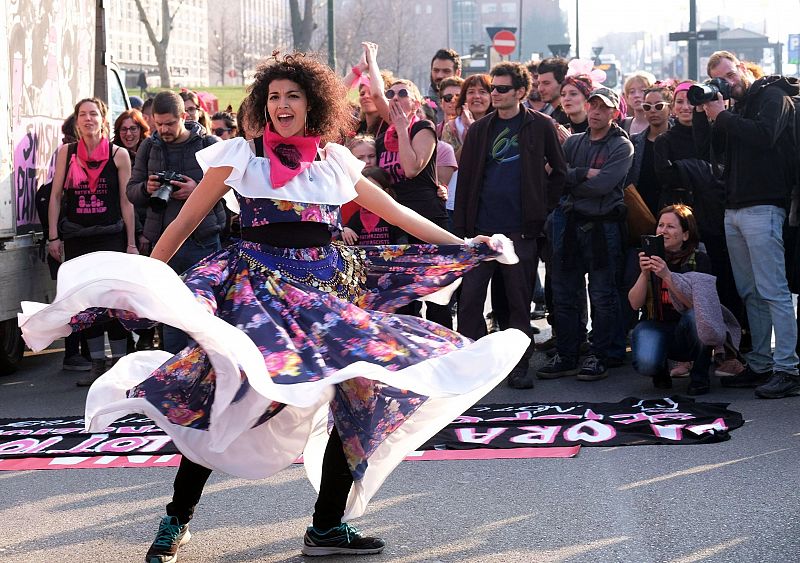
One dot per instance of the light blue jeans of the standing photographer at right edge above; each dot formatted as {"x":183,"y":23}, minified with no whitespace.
{"x":755,"y":244}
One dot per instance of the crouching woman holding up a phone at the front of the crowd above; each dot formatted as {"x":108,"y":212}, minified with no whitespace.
{"x":667,"y":332}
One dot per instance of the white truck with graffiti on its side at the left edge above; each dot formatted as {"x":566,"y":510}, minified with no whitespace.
{"x":52,"y":54}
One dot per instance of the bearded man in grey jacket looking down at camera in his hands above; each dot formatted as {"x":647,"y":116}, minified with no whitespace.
{"x":164,"y":175}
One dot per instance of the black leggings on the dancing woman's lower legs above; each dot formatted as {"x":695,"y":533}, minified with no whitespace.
{"x":328,"y":510}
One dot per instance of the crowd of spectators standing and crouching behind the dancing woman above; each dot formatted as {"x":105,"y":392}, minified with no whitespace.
{"x":568,"y":170}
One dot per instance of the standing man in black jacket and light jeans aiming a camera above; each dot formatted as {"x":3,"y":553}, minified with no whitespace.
{"x":756,"y":138}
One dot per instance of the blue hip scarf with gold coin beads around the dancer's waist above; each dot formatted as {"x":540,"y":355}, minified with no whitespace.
{"x":342,"y":272}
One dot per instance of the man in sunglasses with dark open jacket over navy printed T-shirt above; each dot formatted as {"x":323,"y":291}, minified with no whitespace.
{"x":505,"y":186}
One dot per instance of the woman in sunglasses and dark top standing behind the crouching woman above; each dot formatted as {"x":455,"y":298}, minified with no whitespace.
{"x":656,"y":105}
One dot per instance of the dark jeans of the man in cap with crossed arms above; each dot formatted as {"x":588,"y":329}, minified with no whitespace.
{"x":607,"y":331}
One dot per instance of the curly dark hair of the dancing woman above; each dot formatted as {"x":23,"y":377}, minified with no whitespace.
{"x":329,"y":114}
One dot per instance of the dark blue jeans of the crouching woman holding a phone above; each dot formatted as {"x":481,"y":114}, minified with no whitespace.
{"x":653,"y":342}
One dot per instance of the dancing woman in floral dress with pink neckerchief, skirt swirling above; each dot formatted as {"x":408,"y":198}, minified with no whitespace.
{"x":289,"y":330}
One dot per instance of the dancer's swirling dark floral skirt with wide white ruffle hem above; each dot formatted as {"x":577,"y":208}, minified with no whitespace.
{"x":284,"y":343}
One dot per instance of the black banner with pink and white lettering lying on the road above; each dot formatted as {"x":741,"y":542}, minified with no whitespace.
{"x":559,"y":428}
